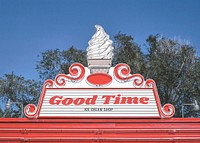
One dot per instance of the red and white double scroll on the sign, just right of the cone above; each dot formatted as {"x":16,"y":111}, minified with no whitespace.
{"x":122,"y":74}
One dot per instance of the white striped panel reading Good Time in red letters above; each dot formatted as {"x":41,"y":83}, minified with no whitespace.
{"x":99,"y":103}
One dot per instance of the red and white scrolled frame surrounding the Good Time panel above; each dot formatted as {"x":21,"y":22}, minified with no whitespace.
{"x":121,"y":75}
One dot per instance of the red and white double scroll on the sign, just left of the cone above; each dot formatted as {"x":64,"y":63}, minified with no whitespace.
{"x":76,"y":73}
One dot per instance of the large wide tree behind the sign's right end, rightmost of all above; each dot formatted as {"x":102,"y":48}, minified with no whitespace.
{"x":173,"y":66}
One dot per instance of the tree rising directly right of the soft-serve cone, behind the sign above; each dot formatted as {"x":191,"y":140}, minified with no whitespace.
{"x":129,"y":52}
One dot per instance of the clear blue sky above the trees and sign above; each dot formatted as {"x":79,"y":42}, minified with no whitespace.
{"x":29,"y":27}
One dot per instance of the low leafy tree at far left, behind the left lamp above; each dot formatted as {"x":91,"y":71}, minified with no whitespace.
{"x":18,"y":89}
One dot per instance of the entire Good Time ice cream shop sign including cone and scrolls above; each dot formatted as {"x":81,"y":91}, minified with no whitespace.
{"x":99,"y":90}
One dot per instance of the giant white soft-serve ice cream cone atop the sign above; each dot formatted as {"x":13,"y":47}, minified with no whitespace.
{"x":99,"y":52}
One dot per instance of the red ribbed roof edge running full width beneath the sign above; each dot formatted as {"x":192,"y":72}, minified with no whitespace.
{"x":100,"y":130}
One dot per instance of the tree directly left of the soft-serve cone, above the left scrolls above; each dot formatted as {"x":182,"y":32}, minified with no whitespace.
{"x":54,"y":62}
